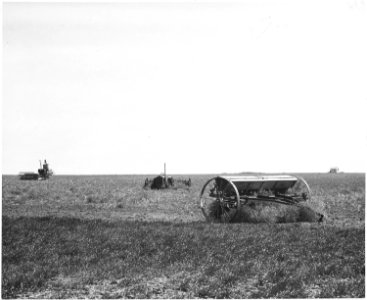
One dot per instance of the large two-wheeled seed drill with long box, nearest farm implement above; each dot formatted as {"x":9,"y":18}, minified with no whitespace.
{"x":221,"y":197}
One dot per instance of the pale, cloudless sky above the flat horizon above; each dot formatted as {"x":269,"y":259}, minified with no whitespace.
{"x":207,"y":87}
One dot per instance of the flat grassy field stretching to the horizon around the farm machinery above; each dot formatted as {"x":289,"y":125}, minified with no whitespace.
{"x":107,"y":237}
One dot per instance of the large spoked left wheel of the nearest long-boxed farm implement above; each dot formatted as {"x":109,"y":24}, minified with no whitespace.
{"x":219,"y":200}
